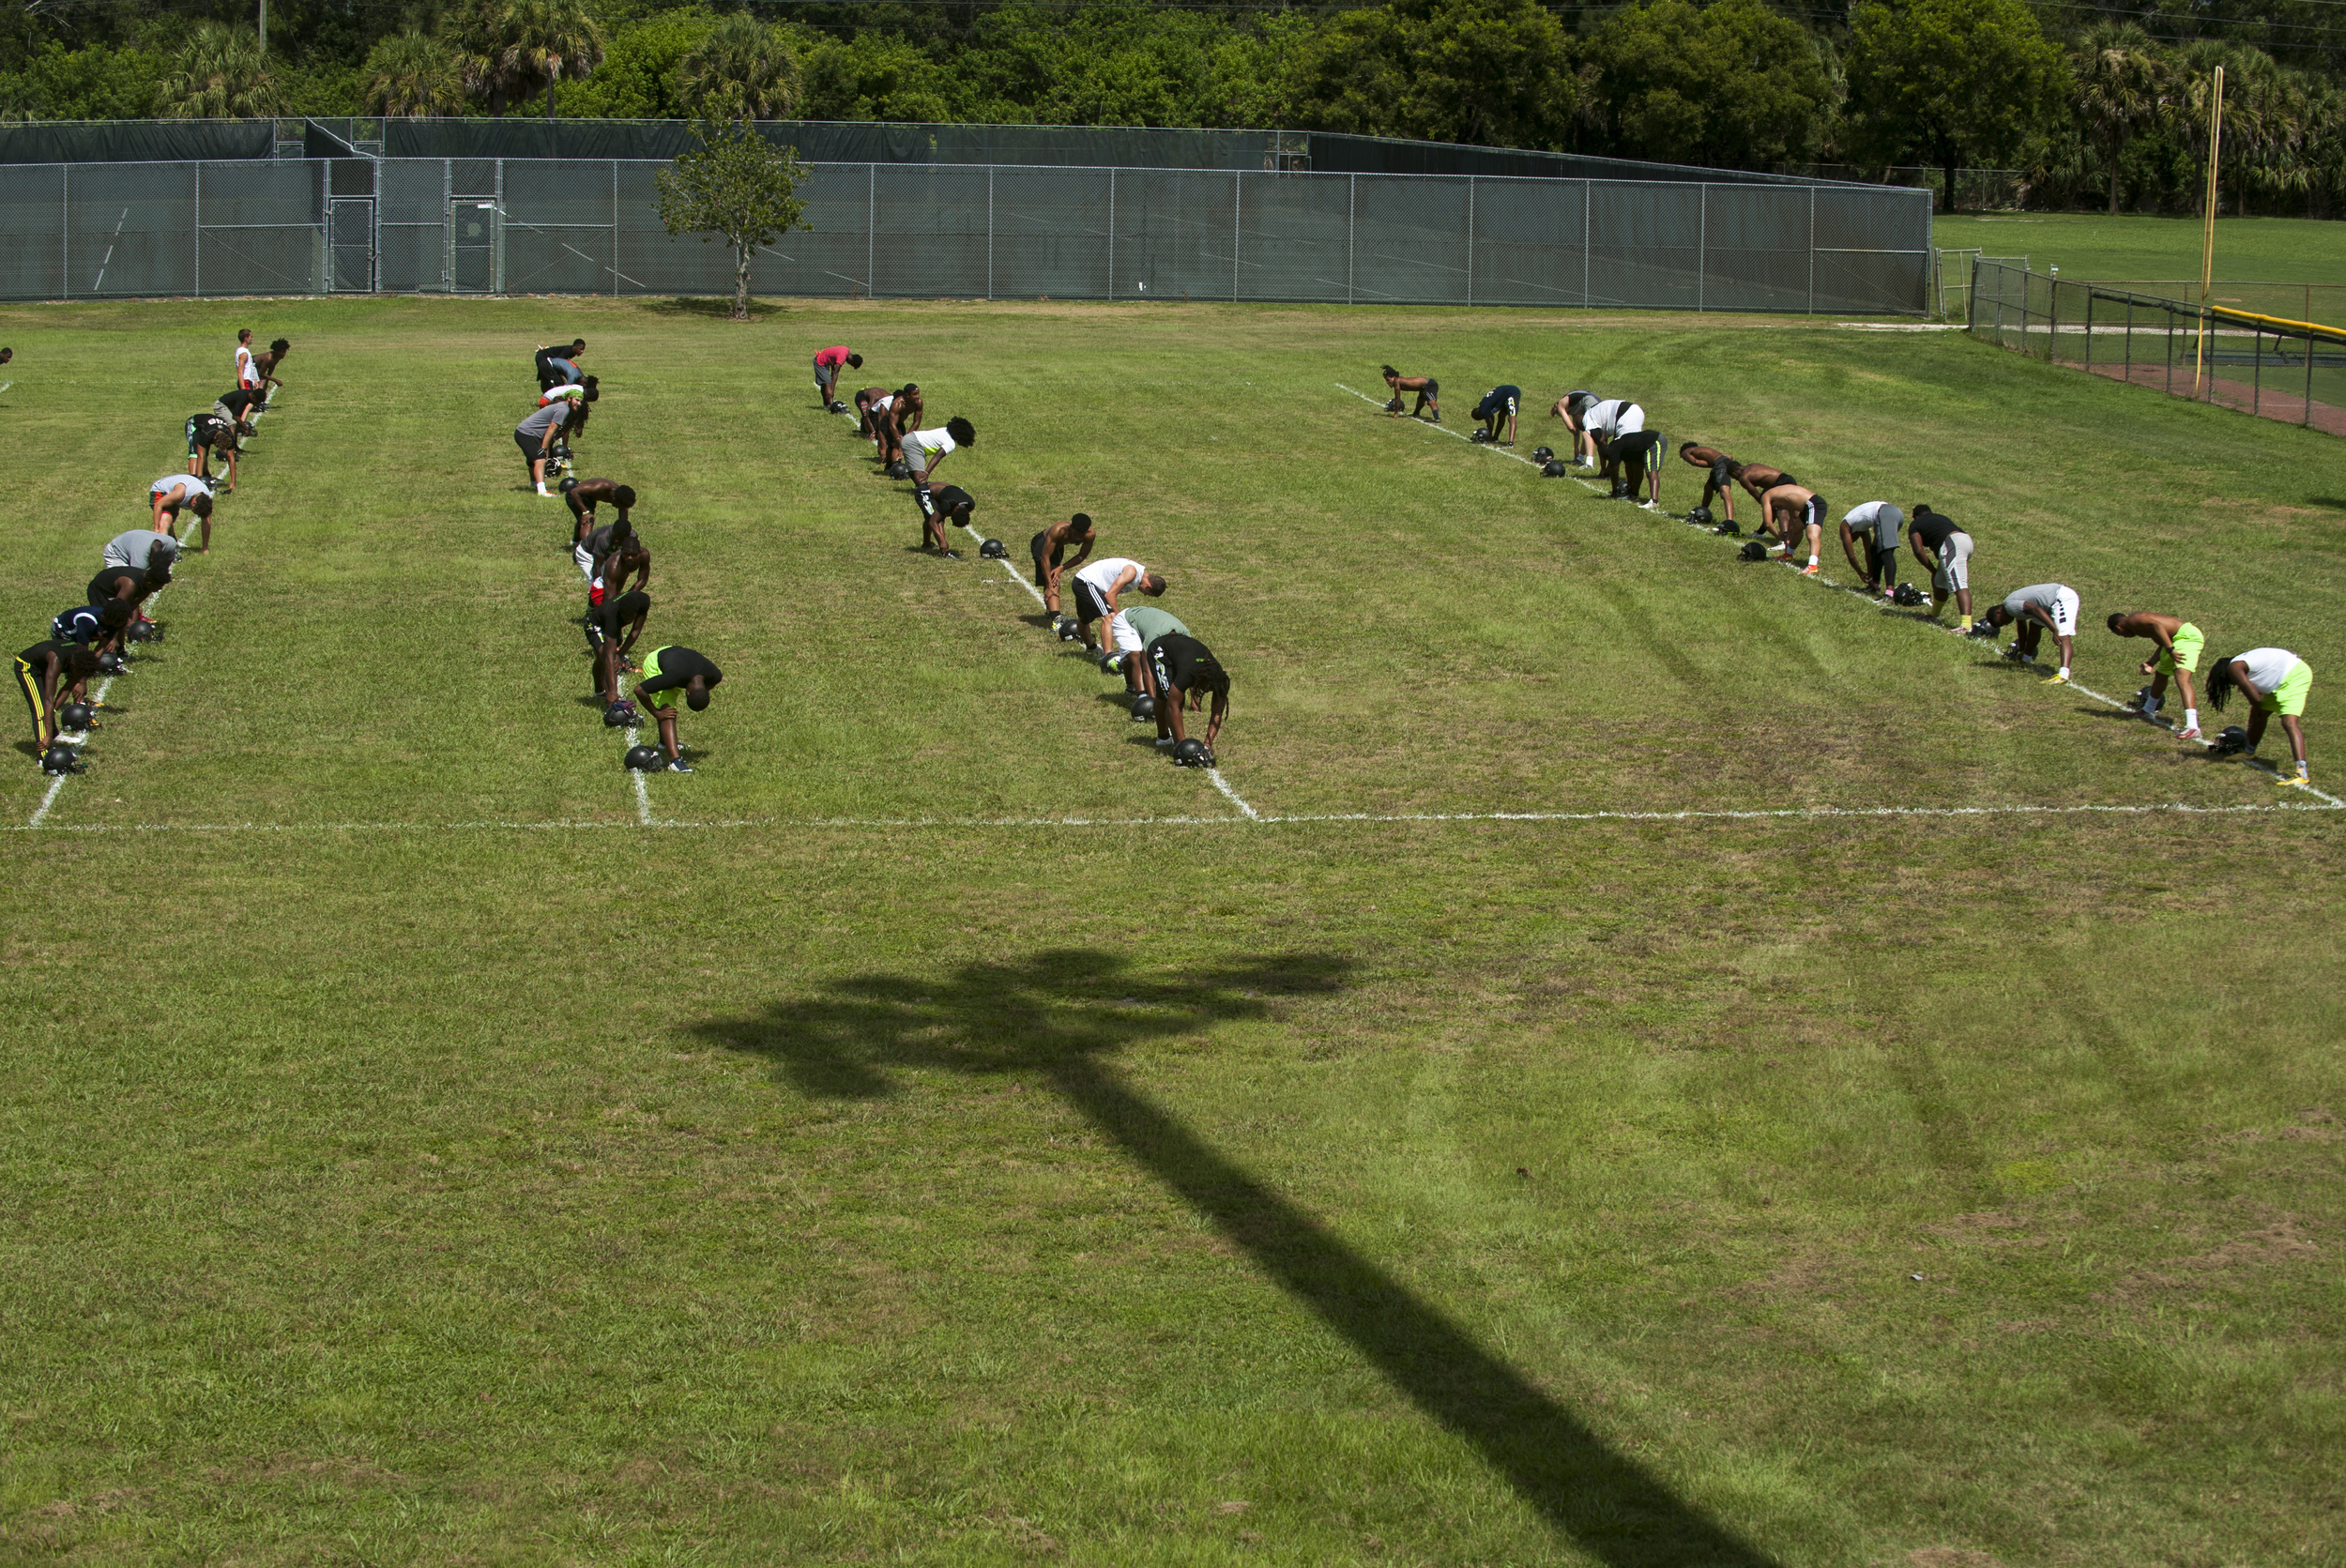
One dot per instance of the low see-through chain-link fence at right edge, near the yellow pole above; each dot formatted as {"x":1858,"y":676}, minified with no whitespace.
{"x":2260,"y":365}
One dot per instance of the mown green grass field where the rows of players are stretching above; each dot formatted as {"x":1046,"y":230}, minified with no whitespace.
{"x":965,"y":1137}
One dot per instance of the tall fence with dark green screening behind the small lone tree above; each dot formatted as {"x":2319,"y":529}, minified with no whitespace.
{"x":588,"y":227}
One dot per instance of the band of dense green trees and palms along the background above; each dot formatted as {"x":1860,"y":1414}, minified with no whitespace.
{"x":2106,"y":114}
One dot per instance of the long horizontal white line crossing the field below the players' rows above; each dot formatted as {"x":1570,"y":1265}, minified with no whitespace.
{"x":1803,"y":813}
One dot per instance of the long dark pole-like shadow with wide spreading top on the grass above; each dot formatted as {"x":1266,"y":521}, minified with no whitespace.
{"x":1064,"y":1015}
